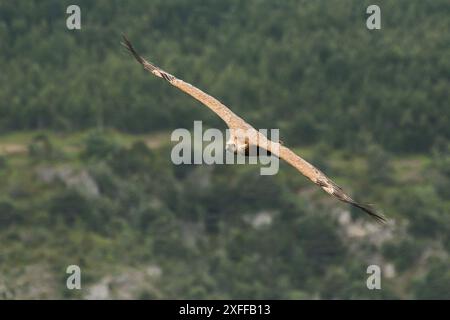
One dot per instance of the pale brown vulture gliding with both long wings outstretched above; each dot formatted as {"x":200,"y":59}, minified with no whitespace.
{"x":252,"y":136}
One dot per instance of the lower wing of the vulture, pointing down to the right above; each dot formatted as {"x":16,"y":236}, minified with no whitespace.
{"x":314,"y":174}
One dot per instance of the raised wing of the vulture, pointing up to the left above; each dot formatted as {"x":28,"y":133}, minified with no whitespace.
{"x":230,"y":118}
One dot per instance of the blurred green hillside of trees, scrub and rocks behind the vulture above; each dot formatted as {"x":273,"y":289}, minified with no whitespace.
{"x":85,"y":170}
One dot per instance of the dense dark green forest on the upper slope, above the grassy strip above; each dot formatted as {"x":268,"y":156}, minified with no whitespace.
{"x":311,"y":69}
